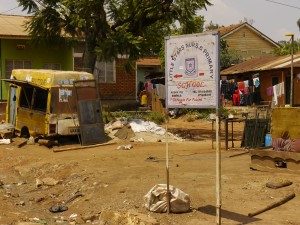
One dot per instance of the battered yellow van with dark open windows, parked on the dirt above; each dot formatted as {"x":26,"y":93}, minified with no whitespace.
{"x":43,"y":102}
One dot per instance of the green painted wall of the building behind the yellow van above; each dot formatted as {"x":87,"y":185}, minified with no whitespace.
{"x":37,"y":54}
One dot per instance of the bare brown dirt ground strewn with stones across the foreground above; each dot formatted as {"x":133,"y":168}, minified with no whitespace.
{"x":112,"y":184}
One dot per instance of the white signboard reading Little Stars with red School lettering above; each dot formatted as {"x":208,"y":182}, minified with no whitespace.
{"x":192,"y":70}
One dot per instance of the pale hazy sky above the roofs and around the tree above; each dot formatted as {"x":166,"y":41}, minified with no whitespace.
{"x":274,"y":20}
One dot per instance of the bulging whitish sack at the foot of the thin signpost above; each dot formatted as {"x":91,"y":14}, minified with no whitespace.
{"x":156,"y":201}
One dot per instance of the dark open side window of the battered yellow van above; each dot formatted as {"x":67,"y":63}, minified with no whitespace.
{"x":34,"y":98}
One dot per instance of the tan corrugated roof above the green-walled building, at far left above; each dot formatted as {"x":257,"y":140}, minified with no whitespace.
{"x":13,"y":26}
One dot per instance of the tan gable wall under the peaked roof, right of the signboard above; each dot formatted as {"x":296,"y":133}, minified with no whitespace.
{"x":248,"y":43}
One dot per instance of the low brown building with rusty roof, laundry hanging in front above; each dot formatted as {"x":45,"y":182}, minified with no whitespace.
{"x":268,"y":71}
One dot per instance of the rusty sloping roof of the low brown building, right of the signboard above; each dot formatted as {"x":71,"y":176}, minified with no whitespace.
{"x":263,"y":63}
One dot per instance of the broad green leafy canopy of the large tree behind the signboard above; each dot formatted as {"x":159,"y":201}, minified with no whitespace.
{"x":110,"y":27}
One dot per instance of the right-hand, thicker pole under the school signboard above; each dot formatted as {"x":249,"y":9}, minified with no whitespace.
{"x":218,"y":171}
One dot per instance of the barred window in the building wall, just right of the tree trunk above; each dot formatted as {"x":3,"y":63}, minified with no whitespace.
{"x":105,"y":72}
